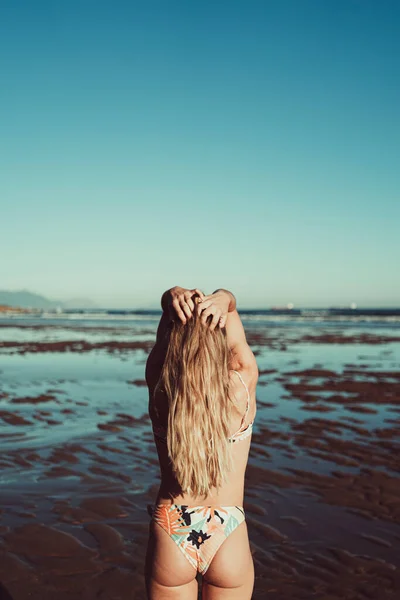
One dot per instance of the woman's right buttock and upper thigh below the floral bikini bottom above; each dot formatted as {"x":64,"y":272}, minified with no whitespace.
{"x":230,"y":575}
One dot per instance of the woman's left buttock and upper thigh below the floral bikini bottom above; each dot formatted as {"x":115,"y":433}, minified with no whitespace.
{"x":169,"y":575}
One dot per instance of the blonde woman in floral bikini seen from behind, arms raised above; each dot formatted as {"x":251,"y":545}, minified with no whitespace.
{"x":202,"y":379}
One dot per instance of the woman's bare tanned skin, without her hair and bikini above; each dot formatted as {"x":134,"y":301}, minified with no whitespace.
{"x":169,"y":575}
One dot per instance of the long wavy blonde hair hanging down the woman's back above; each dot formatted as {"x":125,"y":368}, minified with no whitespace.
{"x":195,"y":377}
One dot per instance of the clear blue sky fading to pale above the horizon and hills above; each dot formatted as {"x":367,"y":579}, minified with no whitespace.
{"x":240,"y":144}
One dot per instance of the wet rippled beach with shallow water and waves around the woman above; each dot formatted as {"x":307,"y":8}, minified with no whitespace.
{"x":78,"y":466}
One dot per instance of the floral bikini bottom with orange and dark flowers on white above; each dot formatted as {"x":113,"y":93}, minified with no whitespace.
{"x":198,"y":531}
